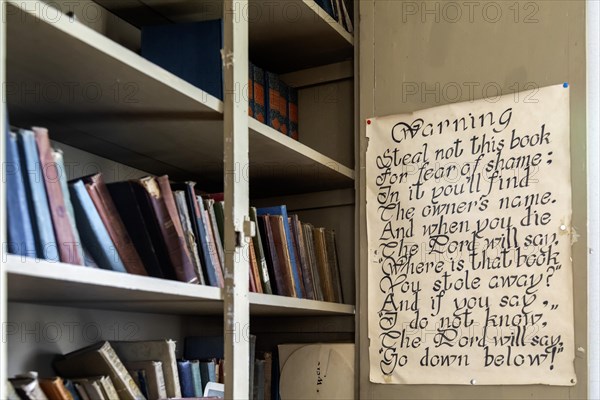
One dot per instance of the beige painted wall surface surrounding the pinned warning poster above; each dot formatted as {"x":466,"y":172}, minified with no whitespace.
{"x":419,"y":54}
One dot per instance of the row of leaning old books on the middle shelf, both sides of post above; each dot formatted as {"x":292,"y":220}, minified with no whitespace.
{"x":151,"y":226}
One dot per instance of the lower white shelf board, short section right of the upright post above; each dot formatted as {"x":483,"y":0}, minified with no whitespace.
{"x":272,"y":305}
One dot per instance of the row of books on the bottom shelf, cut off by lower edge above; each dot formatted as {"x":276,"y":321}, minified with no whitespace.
{"x":148,"y":369}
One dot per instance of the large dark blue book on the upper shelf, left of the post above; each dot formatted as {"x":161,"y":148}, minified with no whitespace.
{"x":191,"y":51}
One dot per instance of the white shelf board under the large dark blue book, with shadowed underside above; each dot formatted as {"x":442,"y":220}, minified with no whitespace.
{"x":96,"y":95}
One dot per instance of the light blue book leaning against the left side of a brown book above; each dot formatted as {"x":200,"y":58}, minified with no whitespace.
{"x":92,"y":231}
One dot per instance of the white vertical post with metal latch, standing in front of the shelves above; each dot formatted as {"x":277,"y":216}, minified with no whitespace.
{"x":236,"y":316}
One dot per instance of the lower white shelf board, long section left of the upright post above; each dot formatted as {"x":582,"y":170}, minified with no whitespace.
{"x":50,"y":283}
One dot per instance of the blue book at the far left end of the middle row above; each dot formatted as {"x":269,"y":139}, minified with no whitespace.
{"x":20,"y":231}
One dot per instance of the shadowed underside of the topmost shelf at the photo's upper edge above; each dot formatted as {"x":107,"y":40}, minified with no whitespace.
{"x":298,"y":32}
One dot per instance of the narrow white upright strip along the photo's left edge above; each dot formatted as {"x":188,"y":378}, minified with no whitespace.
{"x":3,"y":235}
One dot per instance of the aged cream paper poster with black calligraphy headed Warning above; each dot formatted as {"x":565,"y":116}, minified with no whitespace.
{"x":469,"y":233}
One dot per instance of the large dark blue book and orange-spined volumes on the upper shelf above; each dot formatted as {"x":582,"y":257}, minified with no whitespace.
{"x":192,"y":51}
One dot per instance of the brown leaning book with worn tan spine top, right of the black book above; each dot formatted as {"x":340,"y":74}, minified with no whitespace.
{"x":165,"y":210}
